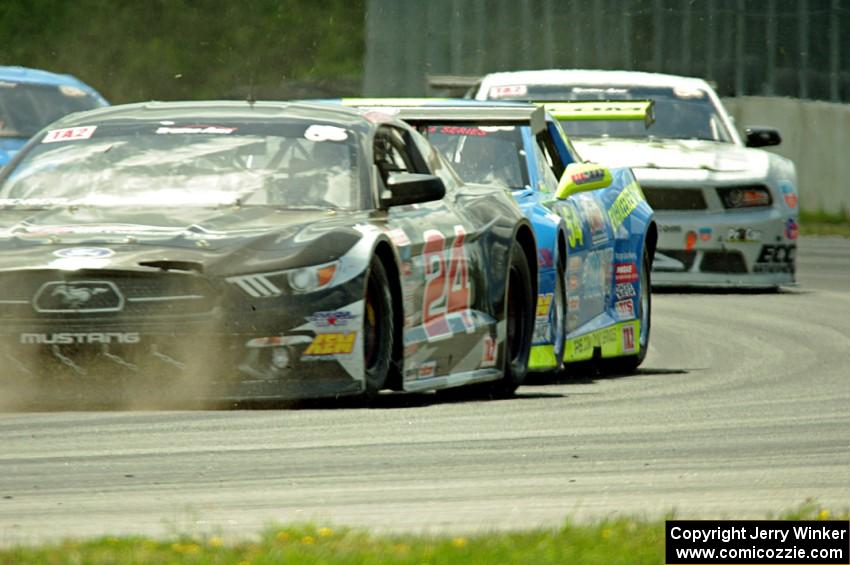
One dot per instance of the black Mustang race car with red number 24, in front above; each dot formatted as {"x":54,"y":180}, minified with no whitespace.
{"x":256,"y":250}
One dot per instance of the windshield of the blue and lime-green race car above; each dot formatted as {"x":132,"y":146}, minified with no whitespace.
{"x":485,"y":155}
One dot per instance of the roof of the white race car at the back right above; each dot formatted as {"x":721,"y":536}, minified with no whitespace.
{"x":588,"y":77}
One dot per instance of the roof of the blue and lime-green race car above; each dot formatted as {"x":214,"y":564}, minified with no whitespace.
{"x":425,"y":109}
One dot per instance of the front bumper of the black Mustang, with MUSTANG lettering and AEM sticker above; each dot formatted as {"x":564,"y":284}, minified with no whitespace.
{"x":284,"y":347}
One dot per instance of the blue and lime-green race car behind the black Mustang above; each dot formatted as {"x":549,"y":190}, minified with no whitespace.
{"x":595,"y":232}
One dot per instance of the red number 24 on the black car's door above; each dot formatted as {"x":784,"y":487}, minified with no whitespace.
{"x":446,"y":290}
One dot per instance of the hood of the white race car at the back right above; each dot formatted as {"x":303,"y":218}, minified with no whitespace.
{"x":686,"y":154}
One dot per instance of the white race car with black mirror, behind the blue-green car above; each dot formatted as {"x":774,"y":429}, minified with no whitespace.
{"x":727,"y":212}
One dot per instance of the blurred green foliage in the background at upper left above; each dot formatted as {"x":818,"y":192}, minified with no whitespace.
{"x":185,"y":49}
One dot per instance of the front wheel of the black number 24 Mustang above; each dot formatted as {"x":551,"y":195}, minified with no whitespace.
{"x":378,"y":330}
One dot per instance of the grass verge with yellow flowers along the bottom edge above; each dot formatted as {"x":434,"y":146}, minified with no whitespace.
{"x":612,"y":541}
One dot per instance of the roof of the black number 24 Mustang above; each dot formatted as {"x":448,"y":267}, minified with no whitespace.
{"x":224,"y":109}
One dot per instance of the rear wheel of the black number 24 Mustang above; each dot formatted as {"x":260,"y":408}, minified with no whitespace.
{"x":519,"y":325}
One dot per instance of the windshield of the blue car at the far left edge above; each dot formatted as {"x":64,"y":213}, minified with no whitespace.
{"x":26,"y":108}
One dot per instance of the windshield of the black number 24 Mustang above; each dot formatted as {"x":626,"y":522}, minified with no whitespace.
{"x":190,"y":163}
